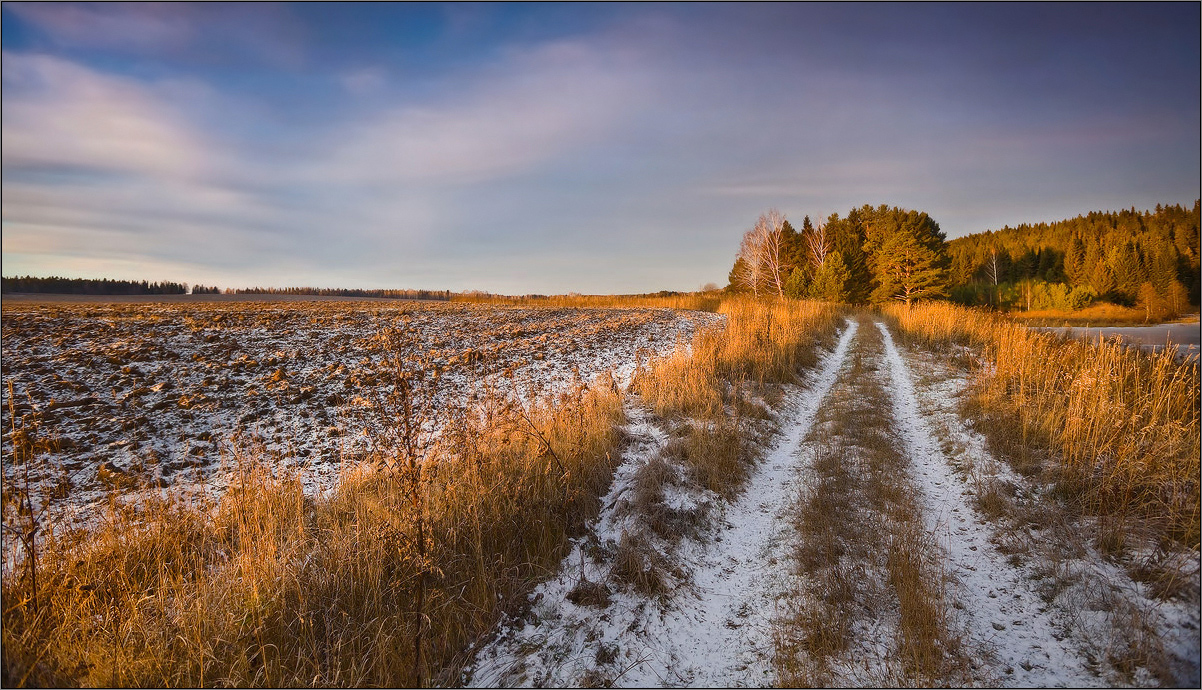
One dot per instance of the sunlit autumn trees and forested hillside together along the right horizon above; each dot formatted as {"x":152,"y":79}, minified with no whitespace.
{"x":882,"y":254}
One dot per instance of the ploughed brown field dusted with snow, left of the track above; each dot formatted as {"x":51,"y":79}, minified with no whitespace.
{"x":160,"y":395}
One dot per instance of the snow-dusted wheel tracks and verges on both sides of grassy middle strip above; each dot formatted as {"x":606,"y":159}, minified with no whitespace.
{"x":1027,"y":603}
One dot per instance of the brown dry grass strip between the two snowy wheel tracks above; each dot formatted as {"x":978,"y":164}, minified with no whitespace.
{"x":864,"y":550}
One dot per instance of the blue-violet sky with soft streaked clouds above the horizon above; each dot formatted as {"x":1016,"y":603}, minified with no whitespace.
{"x":552,"y":148}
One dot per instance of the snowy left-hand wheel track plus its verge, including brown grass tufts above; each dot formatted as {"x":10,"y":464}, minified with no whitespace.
{"x":639,"y":605}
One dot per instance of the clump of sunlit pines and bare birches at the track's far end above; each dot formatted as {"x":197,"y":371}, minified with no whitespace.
{"x":874,"y":254}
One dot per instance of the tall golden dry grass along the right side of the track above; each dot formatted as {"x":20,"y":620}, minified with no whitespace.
{"x":1122,"y":425}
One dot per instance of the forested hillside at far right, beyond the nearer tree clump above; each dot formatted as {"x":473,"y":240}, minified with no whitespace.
{"x":1147,"y":259}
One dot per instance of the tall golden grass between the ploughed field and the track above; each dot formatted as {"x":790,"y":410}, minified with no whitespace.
{"x":394,"y":576}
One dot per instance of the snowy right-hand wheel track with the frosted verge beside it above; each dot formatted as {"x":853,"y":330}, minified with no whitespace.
{"x":1040,"y":638}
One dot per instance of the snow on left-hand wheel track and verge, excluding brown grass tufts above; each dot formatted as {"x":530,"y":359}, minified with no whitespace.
{"x":715,"y":628}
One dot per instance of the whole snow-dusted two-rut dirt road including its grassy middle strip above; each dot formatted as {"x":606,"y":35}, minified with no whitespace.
{"x":878,"y":543}
